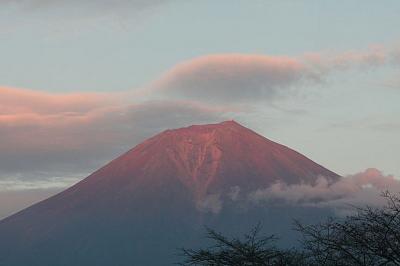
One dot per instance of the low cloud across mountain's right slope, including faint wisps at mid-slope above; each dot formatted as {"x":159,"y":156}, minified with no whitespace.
{"x":342,"y":196}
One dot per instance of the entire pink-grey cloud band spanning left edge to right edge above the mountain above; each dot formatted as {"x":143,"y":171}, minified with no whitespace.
{"x":50,"y":134}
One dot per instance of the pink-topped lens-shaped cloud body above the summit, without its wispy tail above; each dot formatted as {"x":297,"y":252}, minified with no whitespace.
{"x":228,"y":77}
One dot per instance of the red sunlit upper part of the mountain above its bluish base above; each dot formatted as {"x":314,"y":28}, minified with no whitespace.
{"x":207,"y":159}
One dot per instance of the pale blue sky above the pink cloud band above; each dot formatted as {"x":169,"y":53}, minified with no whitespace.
{"x":74,"y":47}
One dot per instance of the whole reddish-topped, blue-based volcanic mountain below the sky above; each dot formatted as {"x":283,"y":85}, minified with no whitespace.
{"x":156,"y":197}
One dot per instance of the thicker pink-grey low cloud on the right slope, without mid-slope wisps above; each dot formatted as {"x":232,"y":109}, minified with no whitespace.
{"x":358,"y":189}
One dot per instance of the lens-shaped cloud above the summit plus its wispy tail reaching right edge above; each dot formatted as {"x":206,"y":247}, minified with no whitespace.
{"x":247,"y":78}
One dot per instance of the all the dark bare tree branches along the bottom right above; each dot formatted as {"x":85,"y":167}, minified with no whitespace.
{"x":369,"y":237}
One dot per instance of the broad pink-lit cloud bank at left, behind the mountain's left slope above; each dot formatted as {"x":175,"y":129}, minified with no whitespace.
{"x":43,"y":130}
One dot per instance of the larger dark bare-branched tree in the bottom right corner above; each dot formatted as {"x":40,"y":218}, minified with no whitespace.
{"x":369,"y":237}
